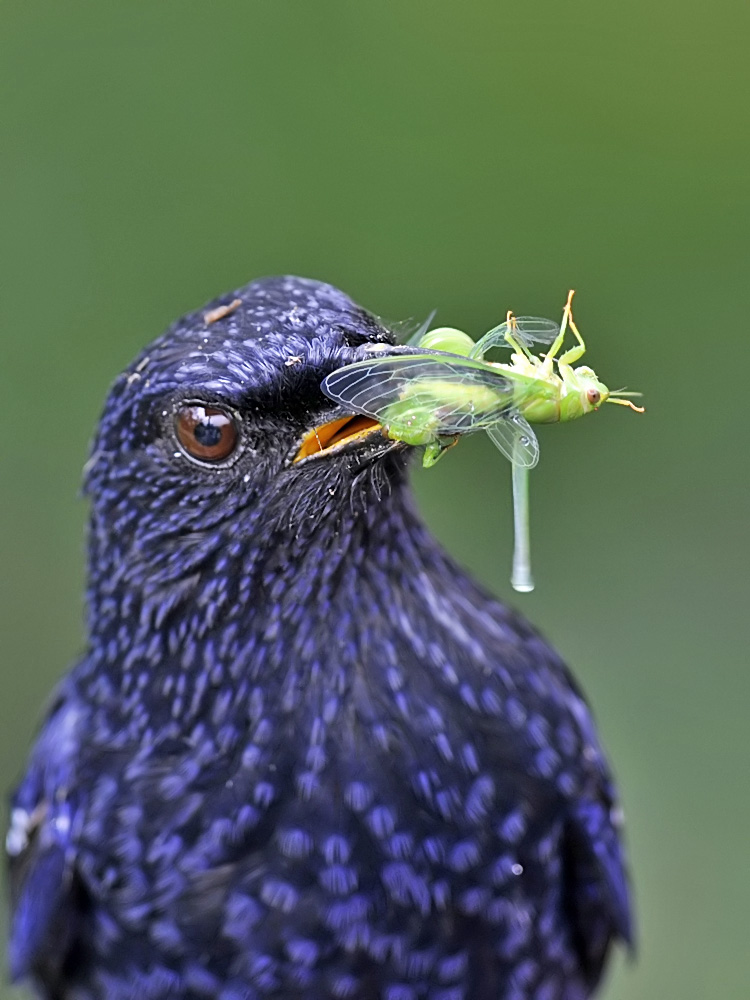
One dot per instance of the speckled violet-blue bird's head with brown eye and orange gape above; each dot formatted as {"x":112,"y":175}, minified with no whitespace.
{"x":218,"y":439}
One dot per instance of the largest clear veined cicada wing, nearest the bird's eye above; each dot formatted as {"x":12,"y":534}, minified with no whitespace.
{"x":457,"y":394}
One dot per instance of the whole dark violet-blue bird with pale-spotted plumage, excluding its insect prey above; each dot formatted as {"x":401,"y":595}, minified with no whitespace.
{"x":303,"y":753}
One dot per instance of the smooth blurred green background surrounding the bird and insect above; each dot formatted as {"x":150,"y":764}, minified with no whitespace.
{"x":471,"y":157}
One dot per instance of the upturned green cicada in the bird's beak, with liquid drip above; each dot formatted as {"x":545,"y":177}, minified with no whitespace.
{"x":435,"y":391}
